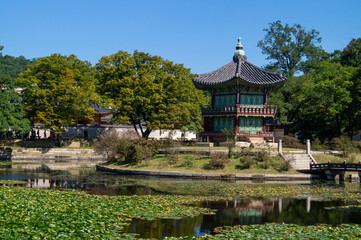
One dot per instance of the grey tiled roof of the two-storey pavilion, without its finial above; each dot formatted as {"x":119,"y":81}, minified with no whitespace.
{"x":239,"y":68}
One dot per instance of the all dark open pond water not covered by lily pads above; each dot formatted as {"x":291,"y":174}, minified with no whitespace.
{"x":302,"y":211}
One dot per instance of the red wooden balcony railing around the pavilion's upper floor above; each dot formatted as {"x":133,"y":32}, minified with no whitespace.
{"x":241,"y":110}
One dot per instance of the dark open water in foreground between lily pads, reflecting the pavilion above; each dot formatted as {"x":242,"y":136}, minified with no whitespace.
{"x":307,"y":211}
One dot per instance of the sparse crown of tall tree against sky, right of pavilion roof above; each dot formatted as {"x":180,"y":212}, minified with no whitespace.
{"x":293,"y":49}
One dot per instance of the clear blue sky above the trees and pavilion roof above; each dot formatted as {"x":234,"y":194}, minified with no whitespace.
{"x":200,"y":34}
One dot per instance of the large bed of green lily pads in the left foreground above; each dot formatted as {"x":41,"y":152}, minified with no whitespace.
{"x":48,"y":214}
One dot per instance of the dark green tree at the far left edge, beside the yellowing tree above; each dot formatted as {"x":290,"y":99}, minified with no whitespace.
{"x":11,"y":109}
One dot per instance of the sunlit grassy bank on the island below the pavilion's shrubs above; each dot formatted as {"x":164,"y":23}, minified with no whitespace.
{"x":197,"y":164}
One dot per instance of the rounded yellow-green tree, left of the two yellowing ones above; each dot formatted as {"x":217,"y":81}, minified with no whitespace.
{"x":57,"y":91}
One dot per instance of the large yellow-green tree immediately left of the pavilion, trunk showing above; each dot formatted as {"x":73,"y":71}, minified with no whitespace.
{"x":147,"y":89}
